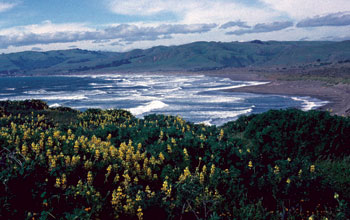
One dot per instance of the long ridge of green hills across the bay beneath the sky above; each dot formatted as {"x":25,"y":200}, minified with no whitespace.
{"x":195,"y":56}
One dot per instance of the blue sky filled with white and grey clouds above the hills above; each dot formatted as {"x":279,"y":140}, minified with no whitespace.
{"x":123,"y":25}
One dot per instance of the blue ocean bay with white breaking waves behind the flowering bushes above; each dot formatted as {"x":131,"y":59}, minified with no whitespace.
{"x":196,"y":98}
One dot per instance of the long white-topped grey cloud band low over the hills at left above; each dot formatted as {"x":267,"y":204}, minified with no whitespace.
{"x":49,"y":33}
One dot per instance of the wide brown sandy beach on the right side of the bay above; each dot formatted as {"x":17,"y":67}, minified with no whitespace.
{"x":338,"y":96}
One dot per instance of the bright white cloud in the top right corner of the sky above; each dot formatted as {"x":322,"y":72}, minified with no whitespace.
{"x":301,"y":9}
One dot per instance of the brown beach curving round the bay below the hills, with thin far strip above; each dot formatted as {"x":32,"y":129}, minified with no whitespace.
{"x":338,"y":95}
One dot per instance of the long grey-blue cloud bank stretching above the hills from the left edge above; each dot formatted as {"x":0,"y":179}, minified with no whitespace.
{"x":123,"y":32}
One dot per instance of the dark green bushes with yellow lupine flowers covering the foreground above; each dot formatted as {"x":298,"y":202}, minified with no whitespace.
{"x":106,"y":164}
